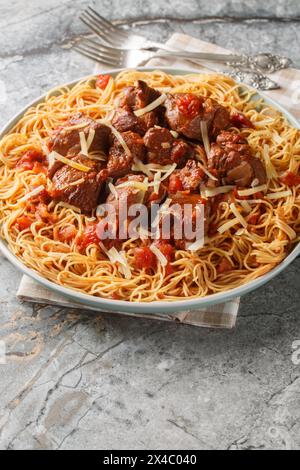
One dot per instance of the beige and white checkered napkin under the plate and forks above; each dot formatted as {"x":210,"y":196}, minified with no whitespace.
{"x":221,"y":315}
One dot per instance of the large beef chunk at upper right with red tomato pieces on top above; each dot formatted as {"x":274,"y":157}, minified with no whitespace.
{"x":185,"y":111}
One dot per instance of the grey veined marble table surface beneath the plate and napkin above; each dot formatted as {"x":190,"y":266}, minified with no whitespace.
{"x":84,"y":380}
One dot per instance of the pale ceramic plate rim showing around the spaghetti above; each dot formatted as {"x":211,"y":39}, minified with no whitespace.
{"x":147,"y":307}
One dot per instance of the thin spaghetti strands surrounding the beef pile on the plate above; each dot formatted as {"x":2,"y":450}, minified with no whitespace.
{"x":49,"y":240}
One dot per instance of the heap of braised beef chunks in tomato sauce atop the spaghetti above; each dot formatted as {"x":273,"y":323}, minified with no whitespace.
{"x":230,"y":158}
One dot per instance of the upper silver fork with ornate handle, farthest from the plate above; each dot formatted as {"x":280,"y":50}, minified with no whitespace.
{"x":113,"y":36}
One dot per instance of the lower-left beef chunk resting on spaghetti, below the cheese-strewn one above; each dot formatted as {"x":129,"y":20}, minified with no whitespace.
{"x":78,"y":188}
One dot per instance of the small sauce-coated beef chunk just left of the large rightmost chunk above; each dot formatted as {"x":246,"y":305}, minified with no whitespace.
{"x":189,"y":177}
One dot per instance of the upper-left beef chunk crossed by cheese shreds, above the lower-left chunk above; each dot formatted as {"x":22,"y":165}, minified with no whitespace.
{"x":66,"y":141}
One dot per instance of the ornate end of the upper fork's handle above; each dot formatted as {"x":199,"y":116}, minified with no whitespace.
{"x":262,"y":62}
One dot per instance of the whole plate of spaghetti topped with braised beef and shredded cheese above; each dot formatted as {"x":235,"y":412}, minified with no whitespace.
{"x":96,"y":176}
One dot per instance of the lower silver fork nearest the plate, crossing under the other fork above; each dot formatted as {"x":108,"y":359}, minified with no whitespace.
{"x":134,"y":57}
